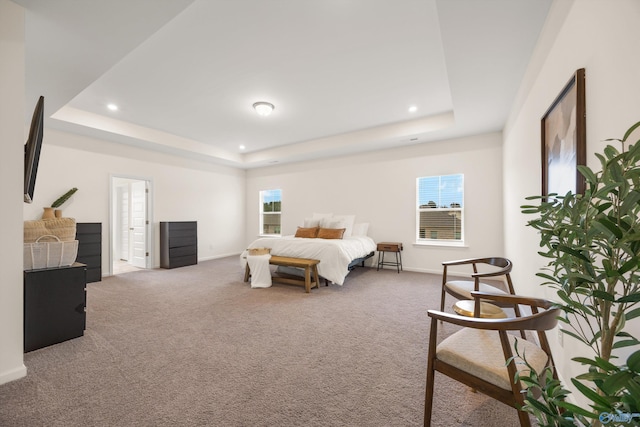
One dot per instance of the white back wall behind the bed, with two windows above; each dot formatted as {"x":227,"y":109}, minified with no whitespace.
{"x":380,"y":188}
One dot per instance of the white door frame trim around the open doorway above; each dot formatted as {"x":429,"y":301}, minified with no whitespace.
{"x":113,"y":217}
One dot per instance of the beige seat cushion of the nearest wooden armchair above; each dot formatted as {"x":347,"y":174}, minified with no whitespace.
{"x":479,"y":353}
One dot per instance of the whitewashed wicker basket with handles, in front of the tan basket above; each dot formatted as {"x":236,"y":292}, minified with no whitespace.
{"x":49,"y":254}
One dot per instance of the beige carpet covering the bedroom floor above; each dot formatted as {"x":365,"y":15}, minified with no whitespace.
{"x":196,"y":346}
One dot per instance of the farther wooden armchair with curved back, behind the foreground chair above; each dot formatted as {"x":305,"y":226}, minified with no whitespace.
{"x":498,"y":268}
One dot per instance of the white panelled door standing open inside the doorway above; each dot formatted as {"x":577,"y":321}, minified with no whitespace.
{"x":138,"y":224}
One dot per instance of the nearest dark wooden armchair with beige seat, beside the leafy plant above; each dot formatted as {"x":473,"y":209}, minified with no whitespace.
{"x":476,"y":355}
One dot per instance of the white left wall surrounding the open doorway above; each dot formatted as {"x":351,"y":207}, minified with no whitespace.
{"x":183,"y":190}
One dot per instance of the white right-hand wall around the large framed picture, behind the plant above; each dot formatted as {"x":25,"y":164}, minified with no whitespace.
{"x":602,"y":37}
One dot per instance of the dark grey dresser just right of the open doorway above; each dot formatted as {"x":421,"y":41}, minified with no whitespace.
{"x":178,"y":243}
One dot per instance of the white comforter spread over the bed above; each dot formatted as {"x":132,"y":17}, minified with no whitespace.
{"x":335,"y":255}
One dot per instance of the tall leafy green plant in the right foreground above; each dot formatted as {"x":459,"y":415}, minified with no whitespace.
{"x":592,"y":243}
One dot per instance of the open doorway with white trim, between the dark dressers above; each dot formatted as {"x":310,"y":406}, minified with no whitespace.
{"x":130,"y":220}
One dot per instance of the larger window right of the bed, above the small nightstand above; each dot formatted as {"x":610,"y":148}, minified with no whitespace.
{"x":440,"y":208}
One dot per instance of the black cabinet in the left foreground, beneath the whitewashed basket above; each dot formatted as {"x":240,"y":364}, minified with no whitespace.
{"x":54,"y":305}
